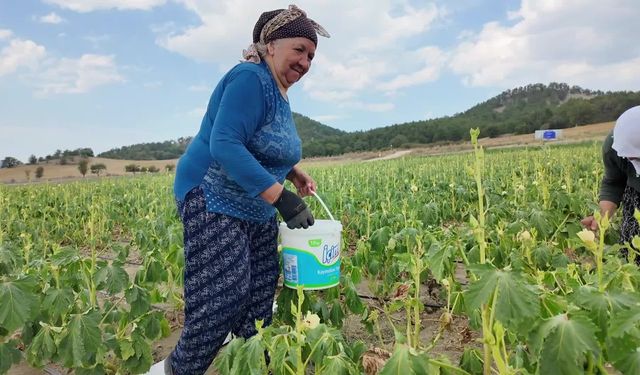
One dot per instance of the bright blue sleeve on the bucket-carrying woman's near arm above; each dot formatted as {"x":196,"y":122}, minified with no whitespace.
{"x":240,"y":113}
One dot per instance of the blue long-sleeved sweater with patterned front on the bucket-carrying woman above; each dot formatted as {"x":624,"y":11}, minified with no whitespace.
{"x":247,"y":141}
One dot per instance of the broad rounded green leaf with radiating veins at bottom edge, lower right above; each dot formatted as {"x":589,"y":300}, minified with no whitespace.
{"x":563,"y":341}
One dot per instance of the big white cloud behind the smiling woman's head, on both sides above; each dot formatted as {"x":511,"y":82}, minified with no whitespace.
{"x":372,"y":48}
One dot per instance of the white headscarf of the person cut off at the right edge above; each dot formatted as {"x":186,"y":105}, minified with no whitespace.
{"x":626,"y":137}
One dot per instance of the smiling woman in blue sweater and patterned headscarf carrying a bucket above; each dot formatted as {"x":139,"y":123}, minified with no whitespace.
{"x":229,"y":184}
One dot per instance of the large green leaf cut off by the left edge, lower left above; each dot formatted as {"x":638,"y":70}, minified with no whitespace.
{"x":19,"y":302}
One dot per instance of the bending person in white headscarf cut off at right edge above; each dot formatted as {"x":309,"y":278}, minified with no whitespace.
{"x":621,"y":181}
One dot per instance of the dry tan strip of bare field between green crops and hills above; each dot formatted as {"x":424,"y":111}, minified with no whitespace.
{"x":56,"y":172}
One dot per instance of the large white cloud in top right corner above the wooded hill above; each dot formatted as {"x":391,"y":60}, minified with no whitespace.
{"x":585,"y":42}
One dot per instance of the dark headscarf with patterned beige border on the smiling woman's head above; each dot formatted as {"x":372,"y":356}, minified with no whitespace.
{"x":282,"y":23}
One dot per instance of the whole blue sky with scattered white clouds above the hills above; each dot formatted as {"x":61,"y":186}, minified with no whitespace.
{"x":110,"y":73}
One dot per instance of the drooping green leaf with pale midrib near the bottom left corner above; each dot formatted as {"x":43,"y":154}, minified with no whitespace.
{"x":80,"y":340}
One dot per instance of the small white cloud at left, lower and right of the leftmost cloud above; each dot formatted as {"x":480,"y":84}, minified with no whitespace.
{"x":74,"y":76}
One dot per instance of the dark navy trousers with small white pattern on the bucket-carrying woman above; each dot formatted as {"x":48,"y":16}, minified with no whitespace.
{"x":231,"y":271}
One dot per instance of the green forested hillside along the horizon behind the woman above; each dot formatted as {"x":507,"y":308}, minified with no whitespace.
{"x":518,"y":111}
